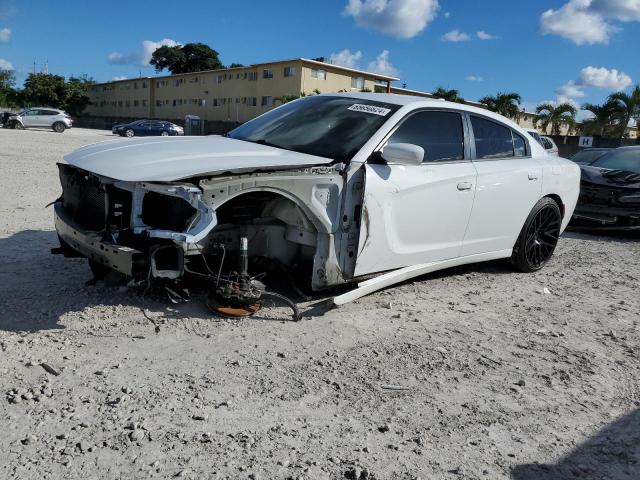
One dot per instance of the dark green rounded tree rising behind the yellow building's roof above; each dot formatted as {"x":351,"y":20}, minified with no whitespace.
{"x":191,"y":57}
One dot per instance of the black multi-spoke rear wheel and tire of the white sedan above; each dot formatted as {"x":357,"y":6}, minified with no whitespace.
{"x":539,"y":236}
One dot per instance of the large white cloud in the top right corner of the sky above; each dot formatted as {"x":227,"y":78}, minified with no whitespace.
{"x":587,"y":22}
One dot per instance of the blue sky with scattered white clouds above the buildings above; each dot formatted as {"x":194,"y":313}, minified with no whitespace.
{"x":577,"y":50}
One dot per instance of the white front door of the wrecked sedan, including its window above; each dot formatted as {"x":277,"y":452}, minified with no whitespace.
{"x":419,"y":213}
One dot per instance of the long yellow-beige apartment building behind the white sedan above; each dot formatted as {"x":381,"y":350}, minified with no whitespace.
{"x":228,"y":95}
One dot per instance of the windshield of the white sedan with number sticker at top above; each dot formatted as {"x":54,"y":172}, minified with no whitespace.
{"x":330,"y":127}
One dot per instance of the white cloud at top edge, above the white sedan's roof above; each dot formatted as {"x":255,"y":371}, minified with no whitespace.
{"x":397,"y":18}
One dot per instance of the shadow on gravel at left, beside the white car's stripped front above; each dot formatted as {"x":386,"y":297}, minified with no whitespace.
{"x":38,"y":288}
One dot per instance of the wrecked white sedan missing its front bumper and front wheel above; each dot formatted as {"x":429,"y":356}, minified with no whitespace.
{"x":335,"y":188}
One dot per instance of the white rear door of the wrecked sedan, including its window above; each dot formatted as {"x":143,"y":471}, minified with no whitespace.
{"x":509,"y":184}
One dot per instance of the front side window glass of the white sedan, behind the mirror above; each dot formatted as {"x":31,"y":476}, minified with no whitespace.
{"x":439,"y":133}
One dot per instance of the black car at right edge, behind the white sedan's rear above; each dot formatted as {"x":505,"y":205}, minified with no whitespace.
{"x":610,"y":191}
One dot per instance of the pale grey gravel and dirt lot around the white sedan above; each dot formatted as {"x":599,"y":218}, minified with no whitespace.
{"x":474,"y":373}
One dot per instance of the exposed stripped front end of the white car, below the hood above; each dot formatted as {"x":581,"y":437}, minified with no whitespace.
{"x":218,"y":229}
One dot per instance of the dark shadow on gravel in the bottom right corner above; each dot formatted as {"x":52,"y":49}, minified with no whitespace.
{"x":612,"y":453}
